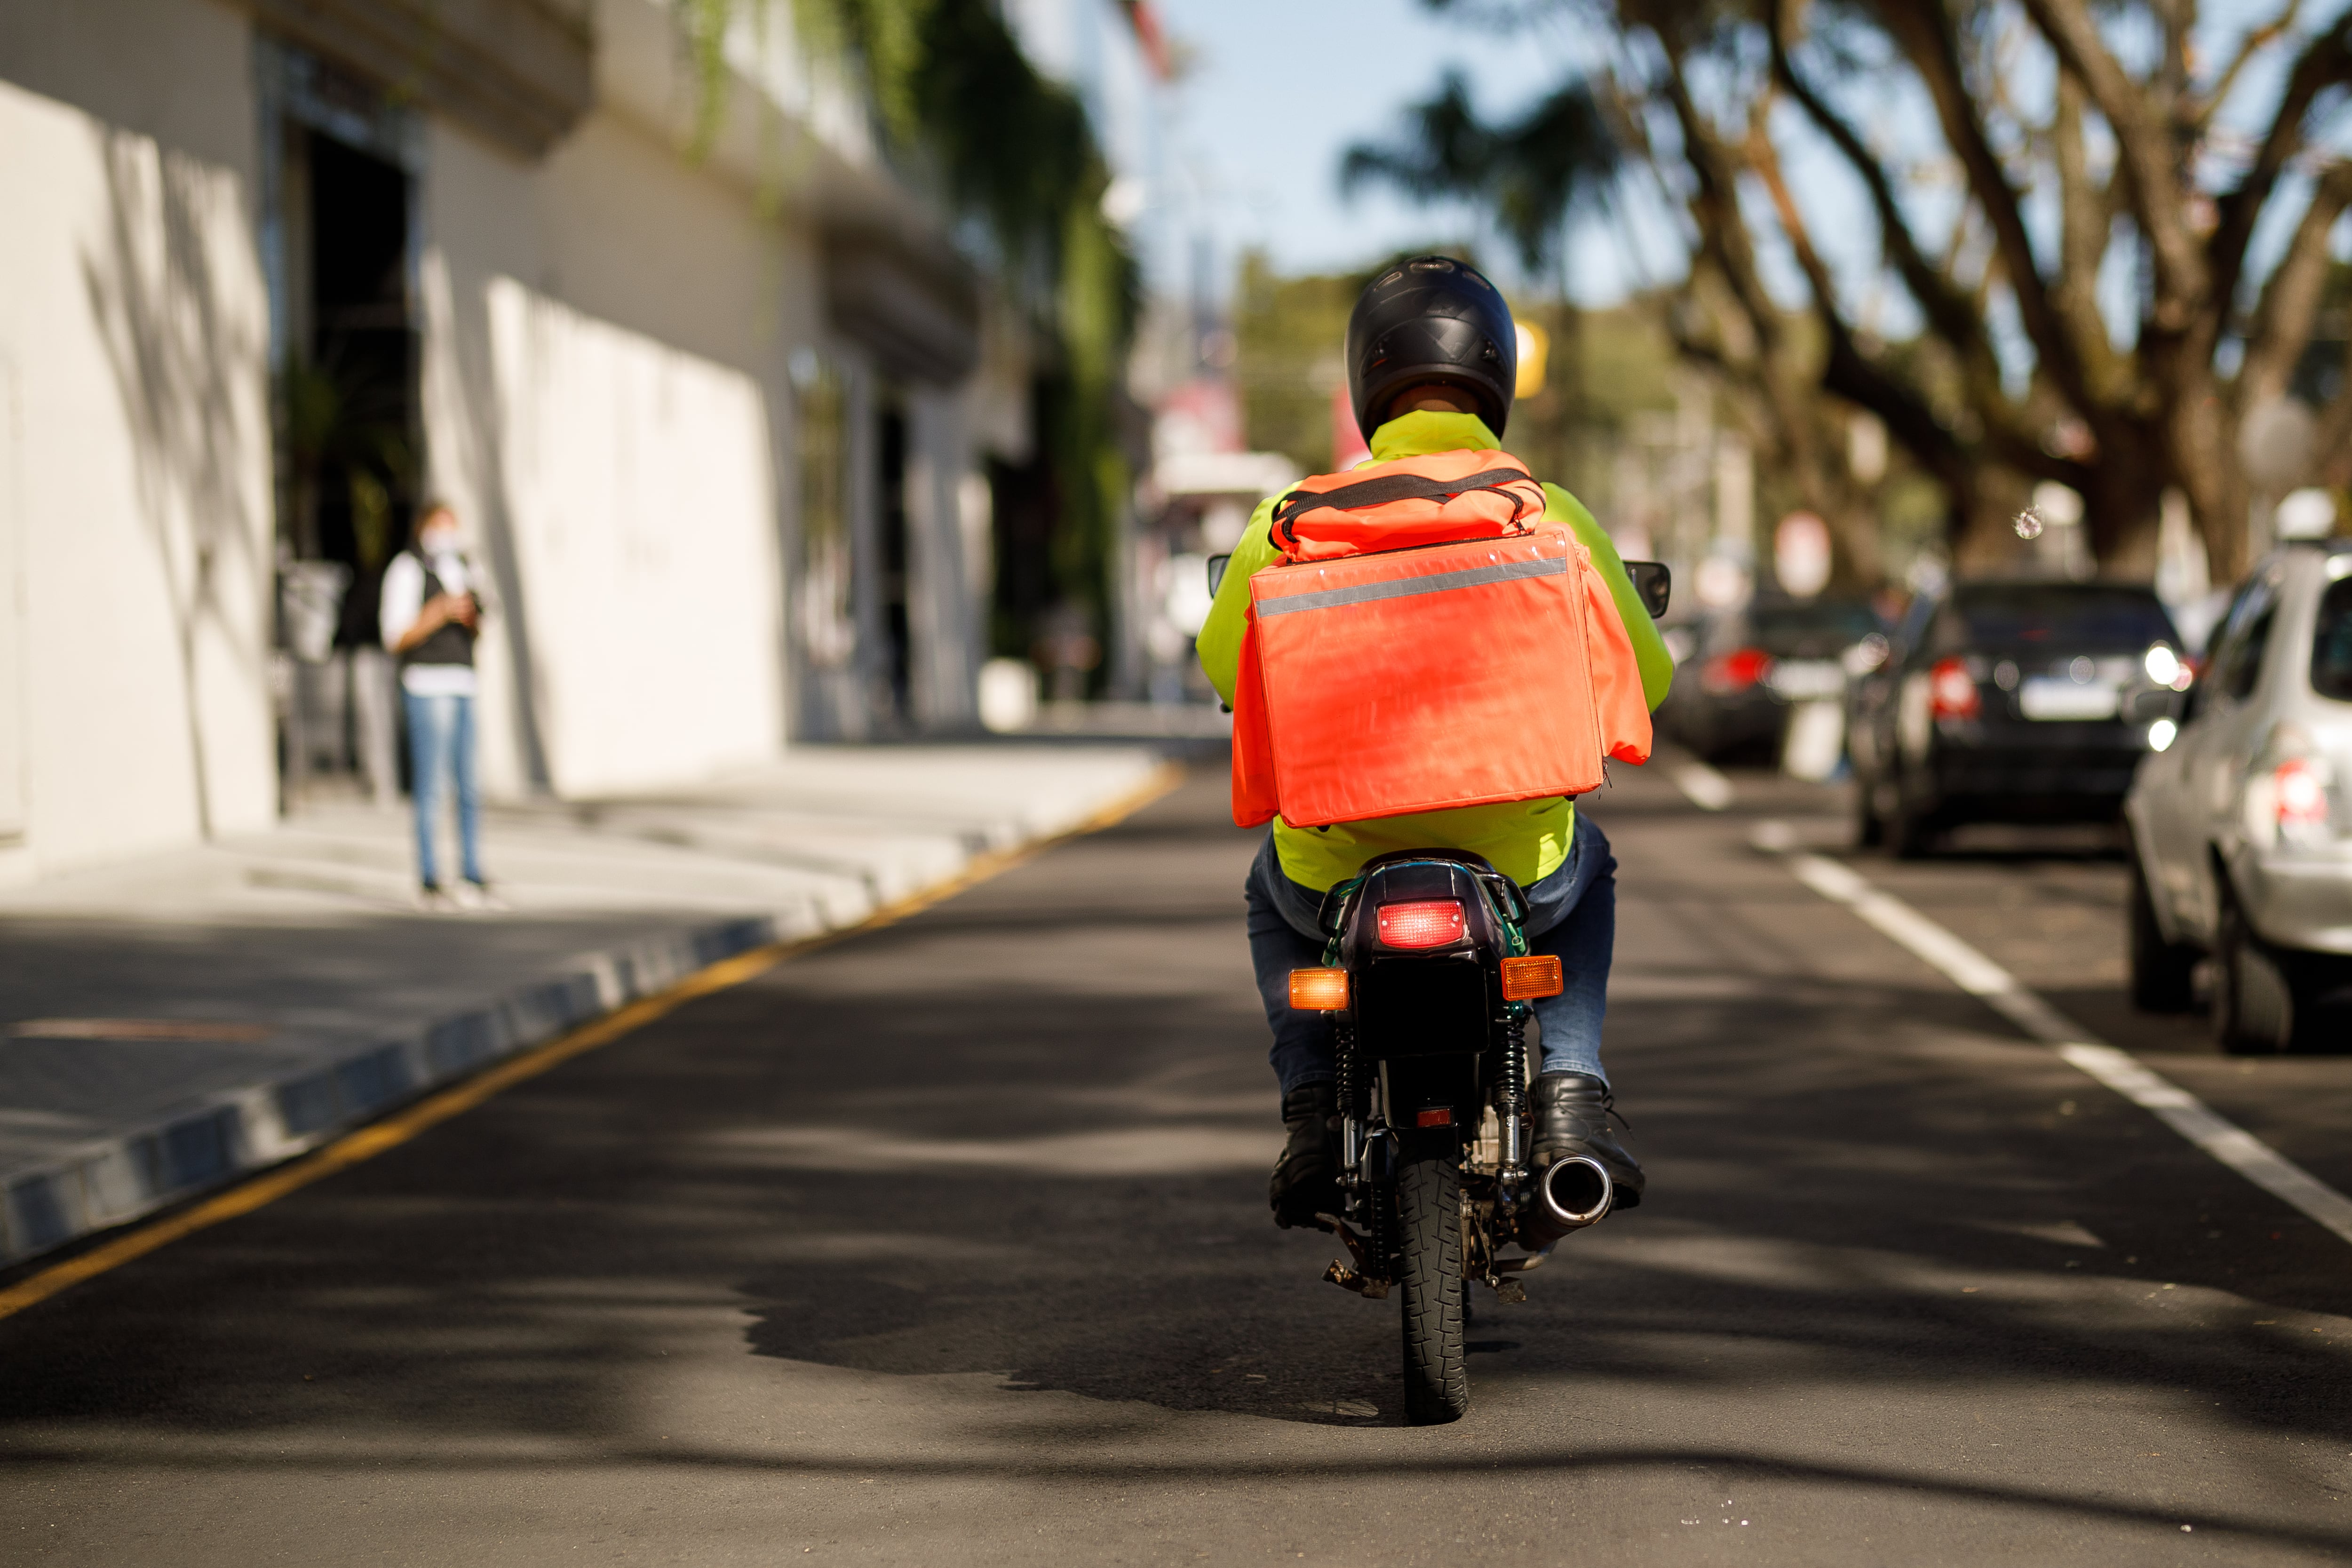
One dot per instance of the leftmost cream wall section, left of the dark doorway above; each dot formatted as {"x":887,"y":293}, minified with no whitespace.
{"x":135,"y":474}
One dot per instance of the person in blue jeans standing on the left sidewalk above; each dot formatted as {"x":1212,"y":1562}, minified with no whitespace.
{"x":432,"y":617}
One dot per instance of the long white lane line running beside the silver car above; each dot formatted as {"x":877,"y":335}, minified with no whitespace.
{"x":2038,"y":1019}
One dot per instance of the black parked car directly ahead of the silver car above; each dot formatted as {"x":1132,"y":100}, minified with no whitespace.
{"x":2012,"y":702}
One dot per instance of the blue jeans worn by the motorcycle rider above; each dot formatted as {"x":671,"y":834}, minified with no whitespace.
{"x":1570,"y":916}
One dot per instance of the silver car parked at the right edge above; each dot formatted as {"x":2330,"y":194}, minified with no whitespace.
{"x":2243,"y":819}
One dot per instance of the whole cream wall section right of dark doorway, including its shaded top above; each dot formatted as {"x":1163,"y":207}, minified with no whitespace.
{"x":606,"y":396}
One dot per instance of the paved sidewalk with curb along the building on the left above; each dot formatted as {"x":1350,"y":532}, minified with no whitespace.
{"x":175,"y":1021}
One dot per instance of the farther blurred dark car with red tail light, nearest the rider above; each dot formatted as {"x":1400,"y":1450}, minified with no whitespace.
{"x":1749,"y":669}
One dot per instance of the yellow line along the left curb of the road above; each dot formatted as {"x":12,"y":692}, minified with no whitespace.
{"x":396,"y":1130}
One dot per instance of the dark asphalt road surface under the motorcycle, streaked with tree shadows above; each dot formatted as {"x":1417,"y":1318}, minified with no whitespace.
{"x":949,"y":1245}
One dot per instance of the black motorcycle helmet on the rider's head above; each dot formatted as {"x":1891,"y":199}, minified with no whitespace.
{"x":1431,"y":319}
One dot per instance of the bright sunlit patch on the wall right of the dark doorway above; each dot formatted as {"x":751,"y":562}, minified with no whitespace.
{"x":643,"y":504}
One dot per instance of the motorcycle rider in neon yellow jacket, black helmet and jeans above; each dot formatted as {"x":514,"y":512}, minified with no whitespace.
{"x":1431,"y":368}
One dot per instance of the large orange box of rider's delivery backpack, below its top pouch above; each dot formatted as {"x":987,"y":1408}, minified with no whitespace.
{"x":1419,"y":681}
